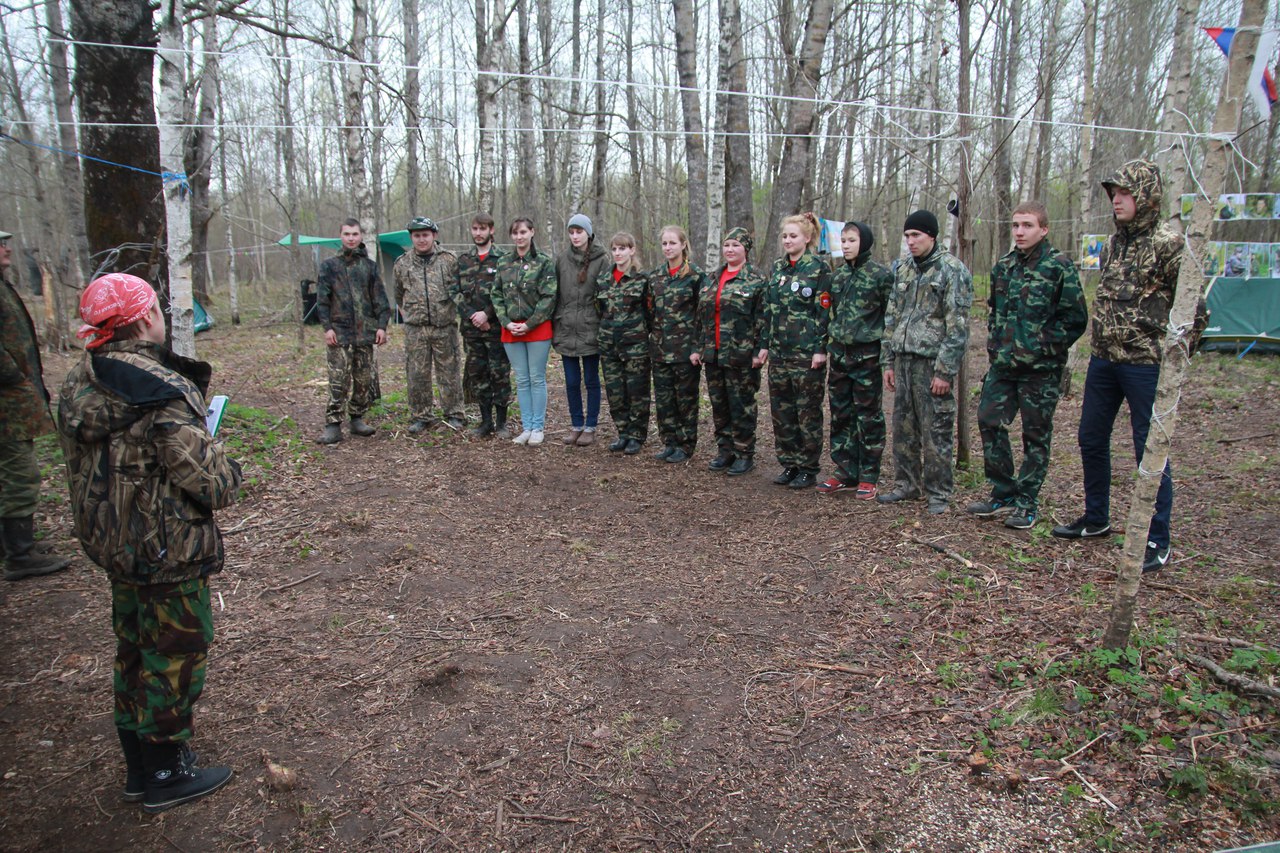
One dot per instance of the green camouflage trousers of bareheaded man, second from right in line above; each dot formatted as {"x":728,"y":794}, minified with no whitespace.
{"x":1035,"y":395}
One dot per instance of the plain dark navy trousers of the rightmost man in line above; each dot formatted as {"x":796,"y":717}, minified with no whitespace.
{"x":1108,"y":385}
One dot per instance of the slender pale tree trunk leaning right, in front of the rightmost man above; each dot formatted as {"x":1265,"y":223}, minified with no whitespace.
{"x":1176,"y":359}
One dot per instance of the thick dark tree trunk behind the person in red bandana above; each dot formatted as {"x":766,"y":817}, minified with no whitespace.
{"x":124,"y":208}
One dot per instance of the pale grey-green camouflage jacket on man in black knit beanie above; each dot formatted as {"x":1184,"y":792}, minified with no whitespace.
{"x":929,"y":314}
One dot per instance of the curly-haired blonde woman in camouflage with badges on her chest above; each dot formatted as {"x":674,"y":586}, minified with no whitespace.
{"x":797,"y":305}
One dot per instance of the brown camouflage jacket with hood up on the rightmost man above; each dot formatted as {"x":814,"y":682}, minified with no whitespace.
{"x":1140,"y":273}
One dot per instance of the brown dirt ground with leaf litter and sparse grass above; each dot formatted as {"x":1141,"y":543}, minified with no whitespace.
{"x":473,"y":646}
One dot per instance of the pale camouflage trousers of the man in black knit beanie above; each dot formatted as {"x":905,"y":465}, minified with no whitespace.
{"x":924,"y":428}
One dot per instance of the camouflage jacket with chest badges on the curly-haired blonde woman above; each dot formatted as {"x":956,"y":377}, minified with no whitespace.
{"x":797,"y":309}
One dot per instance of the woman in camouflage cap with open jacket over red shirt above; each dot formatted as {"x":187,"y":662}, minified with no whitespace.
{"x":732,"y":320}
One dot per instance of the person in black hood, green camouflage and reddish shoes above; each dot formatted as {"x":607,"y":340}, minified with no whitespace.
{"x":860,"y":293}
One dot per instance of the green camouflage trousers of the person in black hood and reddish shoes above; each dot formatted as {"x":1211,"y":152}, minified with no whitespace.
{"x":854,"y":387}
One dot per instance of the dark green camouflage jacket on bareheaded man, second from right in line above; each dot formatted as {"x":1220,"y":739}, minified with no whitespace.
{"x":1037,"y":311}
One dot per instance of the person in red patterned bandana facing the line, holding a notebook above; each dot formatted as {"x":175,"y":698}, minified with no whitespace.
{"x":145,"y":478}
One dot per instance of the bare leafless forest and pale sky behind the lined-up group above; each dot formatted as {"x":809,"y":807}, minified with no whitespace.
{"x":301,"y":113}
